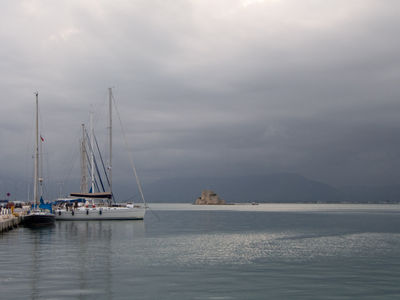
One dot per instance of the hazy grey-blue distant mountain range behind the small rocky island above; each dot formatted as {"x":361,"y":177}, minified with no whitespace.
{"x":272,"y":188}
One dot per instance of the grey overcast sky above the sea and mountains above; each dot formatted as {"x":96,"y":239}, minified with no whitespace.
{"x":205,"y":88}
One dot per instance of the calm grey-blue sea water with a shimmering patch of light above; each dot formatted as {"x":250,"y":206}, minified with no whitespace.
{"x":181,"y":251}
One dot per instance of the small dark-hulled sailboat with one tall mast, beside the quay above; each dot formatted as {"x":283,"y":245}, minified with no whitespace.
{"x":37,"y":216}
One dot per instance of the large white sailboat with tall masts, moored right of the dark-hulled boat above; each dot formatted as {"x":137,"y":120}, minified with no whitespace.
{"x":98,"y":205}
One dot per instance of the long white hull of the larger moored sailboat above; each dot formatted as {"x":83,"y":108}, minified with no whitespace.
{"x":100,"y":213}
